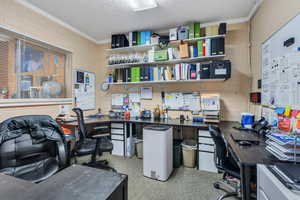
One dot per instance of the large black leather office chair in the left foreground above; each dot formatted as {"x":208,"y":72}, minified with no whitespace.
{"x":31,"y":147}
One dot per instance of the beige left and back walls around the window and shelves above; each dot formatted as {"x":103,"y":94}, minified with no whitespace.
{"x":92,"y":57}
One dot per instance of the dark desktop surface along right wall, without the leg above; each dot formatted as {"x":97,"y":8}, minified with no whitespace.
{"x":249,"y":155}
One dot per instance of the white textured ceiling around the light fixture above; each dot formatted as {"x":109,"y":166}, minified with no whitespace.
{"x":98,"y":19}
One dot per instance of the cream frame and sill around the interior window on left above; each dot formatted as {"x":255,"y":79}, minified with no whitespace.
{"x":42,"y":101}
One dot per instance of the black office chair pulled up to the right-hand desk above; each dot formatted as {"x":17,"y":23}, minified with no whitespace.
{"x":225,"y":164}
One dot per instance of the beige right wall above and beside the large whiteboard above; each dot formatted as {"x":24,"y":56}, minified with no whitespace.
{"x":271,"y":15}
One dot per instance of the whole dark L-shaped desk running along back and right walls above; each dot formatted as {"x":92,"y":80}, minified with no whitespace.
{"x":247,"y":156}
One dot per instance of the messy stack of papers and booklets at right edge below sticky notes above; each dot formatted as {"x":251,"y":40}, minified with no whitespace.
{"x":283,"y":146}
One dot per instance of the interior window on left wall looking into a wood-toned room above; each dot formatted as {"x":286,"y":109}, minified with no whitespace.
{"x":32,"y":70}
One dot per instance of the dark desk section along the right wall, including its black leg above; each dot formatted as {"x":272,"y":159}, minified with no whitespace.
{"x":247,"y":156}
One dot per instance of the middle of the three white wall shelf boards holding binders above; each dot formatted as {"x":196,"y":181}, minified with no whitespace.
{"x":175,"y":61}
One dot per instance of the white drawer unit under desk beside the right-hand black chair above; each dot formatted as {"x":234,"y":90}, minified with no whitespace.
{"x":206,"y":152}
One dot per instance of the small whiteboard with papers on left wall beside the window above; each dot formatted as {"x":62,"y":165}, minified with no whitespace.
{"x":84,"y":90}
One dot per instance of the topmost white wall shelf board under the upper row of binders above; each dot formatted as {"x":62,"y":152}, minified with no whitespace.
{"x":148,"y":47}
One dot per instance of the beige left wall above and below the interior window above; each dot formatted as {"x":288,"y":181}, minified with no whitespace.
{"x":23,"y":20}
